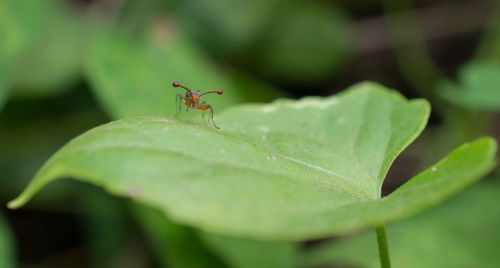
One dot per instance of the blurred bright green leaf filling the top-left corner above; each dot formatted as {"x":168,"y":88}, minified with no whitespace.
{"x":45,"y":43}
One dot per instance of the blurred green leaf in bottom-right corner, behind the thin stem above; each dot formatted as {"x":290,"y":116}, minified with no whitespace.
{"x":462,"y":232}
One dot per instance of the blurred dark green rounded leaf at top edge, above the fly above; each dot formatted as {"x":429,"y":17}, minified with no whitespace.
{"x":228,"y":27}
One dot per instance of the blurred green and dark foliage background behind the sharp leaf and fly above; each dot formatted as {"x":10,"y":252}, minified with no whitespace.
{"x":67,"y":66}
